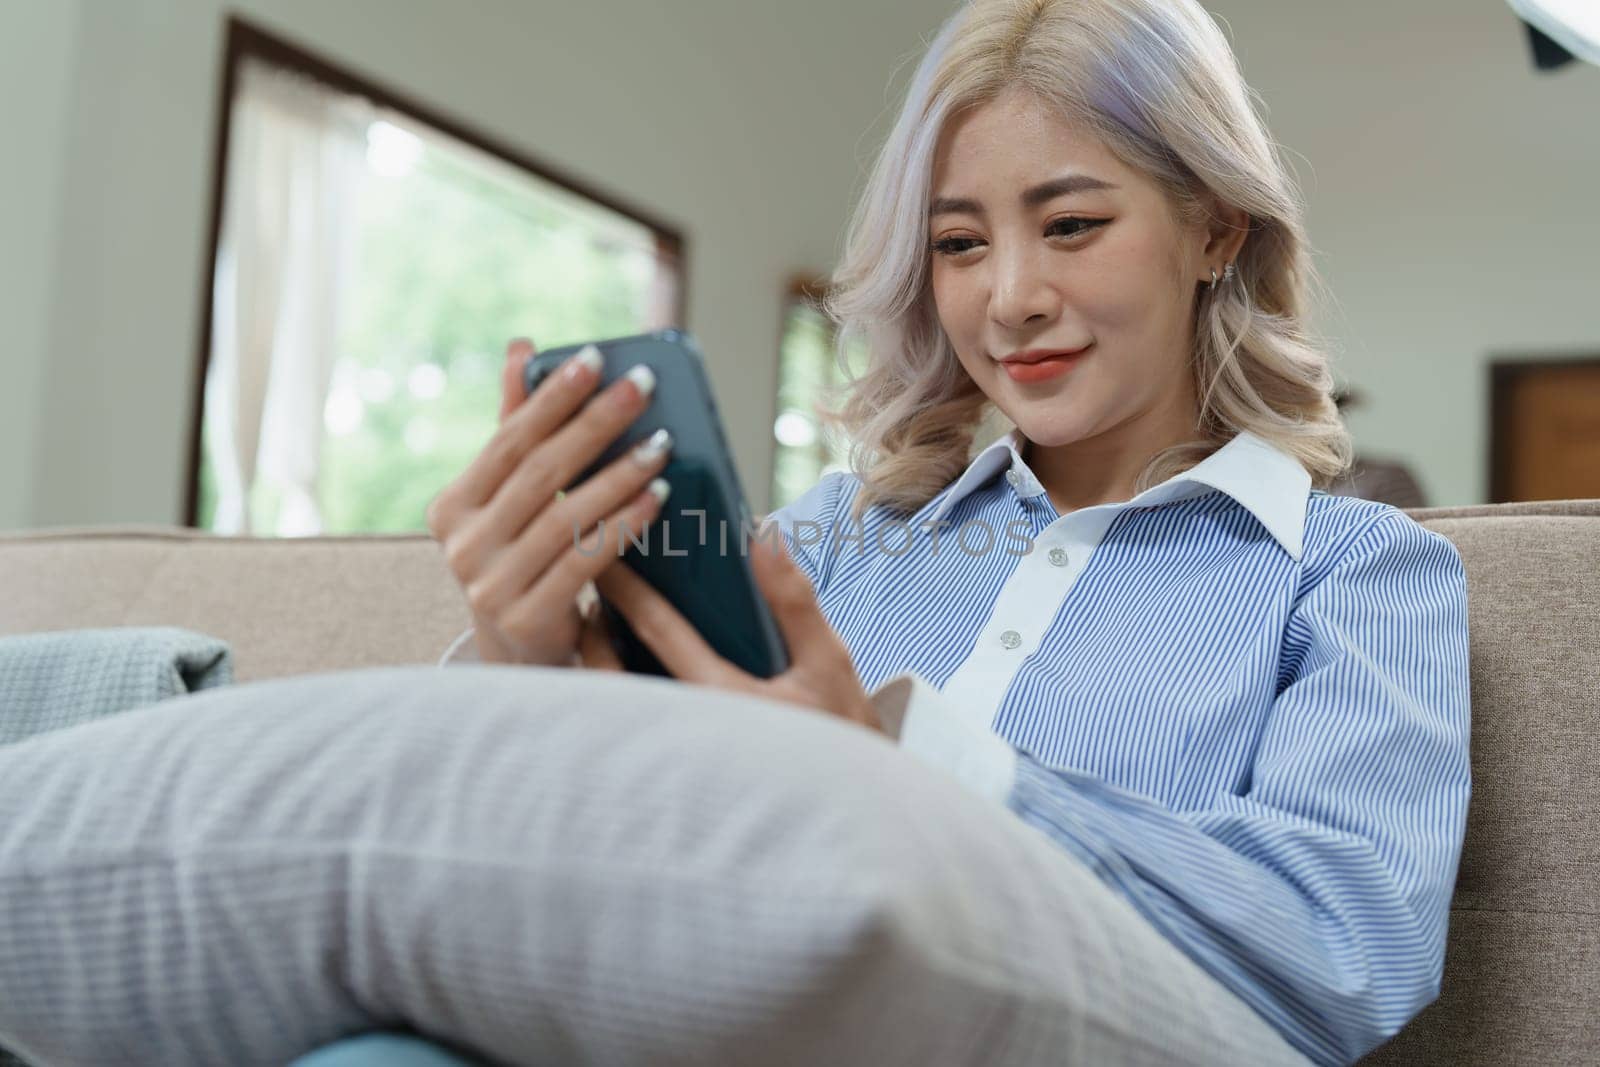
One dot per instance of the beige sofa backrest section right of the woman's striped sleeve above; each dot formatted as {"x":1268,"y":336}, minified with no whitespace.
{"x":1522,"y":970}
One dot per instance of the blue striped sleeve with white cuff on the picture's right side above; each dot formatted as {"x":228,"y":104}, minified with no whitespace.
{"x":1319,"y":890}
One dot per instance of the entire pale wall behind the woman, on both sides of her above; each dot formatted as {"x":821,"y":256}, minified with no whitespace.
{"x":1452,"y":193}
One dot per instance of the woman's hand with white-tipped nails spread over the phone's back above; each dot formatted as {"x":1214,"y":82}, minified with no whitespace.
{"x":513,"y":541}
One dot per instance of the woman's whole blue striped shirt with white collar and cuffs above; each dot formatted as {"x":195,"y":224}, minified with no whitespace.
{"x":1241,"y":701}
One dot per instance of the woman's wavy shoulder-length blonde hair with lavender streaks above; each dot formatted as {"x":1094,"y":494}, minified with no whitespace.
{"x":1159,"y":84}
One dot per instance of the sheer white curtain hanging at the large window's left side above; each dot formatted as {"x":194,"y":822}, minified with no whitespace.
{"x":295,"y":159}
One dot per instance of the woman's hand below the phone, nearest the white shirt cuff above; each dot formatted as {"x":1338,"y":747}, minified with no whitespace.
{"x":820,"y":676}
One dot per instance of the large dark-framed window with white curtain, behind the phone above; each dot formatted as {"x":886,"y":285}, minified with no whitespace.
{"x":370,"y":265}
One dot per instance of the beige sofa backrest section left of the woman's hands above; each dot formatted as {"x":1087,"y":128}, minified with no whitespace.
{"x":287,"y":605}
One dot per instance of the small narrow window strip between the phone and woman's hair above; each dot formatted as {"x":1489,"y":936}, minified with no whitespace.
{"x":807,"y":369}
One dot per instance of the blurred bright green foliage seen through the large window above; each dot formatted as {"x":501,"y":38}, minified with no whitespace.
{"x":454,"y":260}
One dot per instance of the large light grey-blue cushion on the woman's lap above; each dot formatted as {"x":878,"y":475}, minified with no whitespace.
{"x":551,"y":868}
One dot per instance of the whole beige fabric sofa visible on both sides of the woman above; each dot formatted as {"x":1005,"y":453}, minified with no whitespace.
{"x":1522,"y":980}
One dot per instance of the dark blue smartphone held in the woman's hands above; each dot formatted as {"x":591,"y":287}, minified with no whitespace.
{"x":697,"y":551}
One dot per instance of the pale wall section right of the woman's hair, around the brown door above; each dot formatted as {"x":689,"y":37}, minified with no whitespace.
{"x":1455,"y":198}
